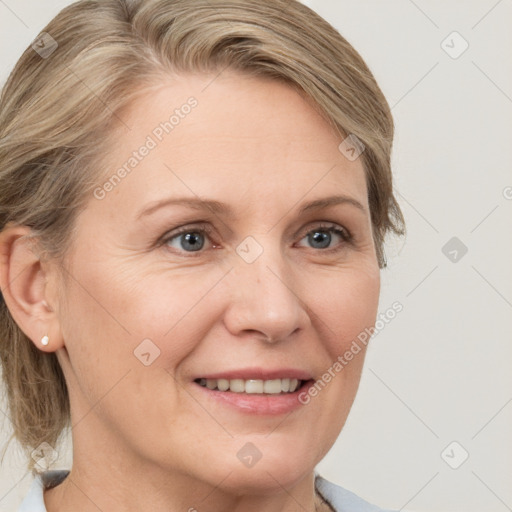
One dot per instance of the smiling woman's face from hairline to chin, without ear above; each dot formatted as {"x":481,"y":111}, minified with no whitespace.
{"x":165,"y":290}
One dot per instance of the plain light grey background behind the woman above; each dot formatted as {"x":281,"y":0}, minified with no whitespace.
{"x":440,"y":371}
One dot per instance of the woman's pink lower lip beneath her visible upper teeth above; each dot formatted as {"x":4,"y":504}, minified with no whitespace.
{"x":264,"y":404}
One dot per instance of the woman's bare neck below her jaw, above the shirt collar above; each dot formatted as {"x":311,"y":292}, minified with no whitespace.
{"x":105,"y":476}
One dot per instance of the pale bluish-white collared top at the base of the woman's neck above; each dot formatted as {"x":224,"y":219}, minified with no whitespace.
{"x":340,"y":499}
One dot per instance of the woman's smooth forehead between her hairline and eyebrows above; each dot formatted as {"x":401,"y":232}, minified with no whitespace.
{"x":232,"y":137}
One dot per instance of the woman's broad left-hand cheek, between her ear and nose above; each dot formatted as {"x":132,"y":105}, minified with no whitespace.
{"x":112,"y":309}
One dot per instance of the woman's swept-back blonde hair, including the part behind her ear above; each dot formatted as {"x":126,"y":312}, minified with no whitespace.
{"x":58,"y":107}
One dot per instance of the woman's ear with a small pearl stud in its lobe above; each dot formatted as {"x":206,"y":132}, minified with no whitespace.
{"x":28,"y":287}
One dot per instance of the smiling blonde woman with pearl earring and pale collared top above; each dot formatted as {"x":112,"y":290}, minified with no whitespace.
{"x":194,"y":199}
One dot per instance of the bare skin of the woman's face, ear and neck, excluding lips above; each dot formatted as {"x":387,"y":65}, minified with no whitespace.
{"x":145,"y":437}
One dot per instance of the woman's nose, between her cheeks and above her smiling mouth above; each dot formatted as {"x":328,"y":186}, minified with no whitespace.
{"x":263,"y":301}
